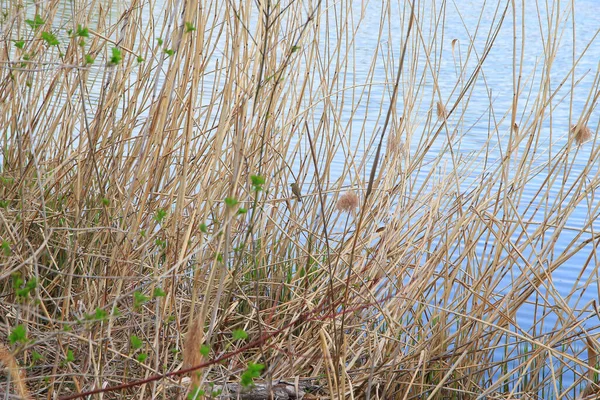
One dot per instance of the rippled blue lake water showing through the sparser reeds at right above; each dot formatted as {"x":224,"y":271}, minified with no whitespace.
{"x":561,"y":299}
